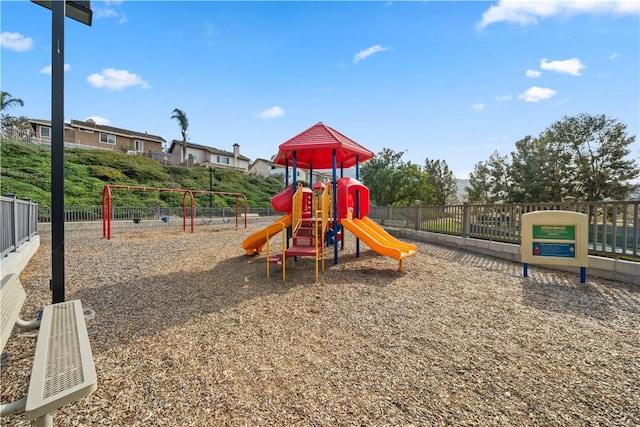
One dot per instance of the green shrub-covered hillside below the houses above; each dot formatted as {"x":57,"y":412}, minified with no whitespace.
{"x":26,"y":171}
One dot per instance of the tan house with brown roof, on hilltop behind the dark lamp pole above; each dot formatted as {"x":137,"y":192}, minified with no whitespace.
{"x":89,"y":134}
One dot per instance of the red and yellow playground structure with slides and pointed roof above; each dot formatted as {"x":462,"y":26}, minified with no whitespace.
{"x":317,"y":217}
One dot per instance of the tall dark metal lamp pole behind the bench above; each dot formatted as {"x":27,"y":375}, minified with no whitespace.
{"x":57,"y":151}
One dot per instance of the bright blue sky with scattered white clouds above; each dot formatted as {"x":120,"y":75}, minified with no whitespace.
{"x":453,"y":81}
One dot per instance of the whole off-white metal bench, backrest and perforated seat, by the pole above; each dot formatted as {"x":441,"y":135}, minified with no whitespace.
{"x":63,"y":369}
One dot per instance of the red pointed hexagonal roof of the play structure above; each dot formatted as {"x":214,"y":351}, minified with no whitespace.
{"x":314,"y":149}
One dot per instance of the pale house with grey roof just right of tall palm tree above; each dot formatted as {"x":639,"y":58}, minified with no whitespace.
{"x":203,"y":155}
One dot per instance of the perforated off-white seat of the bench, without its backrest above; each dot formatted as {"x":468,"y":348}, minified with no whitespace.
{"x":63,"y":369}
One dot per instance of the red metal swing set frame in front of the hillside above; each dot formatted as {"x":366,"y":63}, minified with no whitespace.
{"x":107,"y":208}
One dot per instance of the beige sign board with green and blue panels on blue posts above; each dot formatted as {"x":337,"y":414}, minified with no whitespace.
{"x":555,"y":238}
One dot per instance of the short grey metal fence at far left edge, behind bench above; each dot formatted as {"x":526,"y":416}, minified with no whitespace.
{"x":19,"y":221}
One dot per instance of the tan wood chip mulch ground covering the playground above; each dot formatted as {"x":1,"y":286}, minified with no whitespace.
{"x":190,"y":332}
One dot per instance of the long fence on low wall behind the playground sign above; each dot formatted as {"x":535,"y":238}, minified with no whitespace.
{"x":613,"y":226}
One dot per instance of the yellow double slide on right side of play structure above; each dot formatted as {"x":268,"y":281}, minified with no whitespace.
{"x":378,"y":239}
